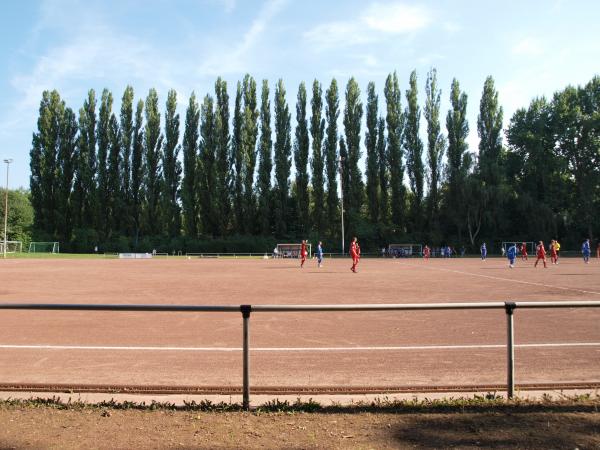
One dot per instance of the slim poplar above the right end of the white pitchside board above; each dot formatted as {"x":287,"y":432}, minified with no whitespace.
{"x":153,"y":142}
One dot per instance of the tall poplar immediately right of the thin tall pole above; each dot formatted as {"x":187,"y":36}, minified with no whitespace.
{"x":352,"y":119}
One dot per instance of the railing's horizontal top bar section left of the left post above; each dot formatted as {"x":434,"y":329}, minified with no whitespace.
{"x":117,"y":307}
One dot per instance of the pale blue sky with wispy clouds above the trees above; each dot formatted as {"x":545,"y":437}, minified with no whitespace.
{"x":531,"y":48}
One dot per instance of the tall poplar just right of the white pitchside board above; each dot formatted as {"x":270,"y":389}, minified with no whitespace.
{"x":171,"y":170}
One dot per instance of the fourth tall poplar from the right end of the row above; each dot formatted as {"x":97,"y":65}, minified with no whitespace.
{"x":414,"y":151}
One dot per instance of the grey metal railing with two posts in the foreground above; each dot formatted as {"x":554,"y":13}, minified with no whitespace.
{"x":246,"y":310}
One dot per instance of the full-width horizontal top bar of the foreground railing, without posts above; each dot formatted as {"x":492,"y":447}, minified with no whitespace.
{"x":295,"y":308}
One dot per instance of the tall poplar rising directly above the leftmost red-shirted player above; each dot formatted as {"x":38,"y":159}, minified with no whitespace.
{"x":301,"y":146}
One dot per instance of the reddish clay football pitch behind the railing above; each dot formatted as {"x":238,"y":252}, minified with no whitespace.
{"x":333,"y":350}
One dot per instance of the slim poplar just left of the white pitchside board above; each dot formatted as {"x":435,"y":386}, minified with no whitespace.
{"x":103,"y":139}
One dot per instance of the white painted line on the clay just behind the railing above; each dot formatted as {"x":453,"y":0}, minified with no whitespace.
{"x":295,"y":349}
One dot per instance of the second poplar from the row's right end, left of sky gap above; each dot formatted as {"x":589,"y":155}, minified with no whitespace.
{"x":458,"y":158}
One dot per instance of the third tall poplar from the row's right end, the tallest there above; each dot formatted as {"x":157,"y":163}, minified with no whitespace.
{"x":435,"y":148}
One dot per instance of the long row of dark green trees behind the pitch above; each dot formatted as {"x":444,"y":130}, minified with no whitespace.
{"x":133,"y":178}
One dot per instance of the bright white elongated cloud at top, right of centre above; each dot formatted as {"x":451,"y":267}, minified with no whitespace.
{"x":376,"y":22}
